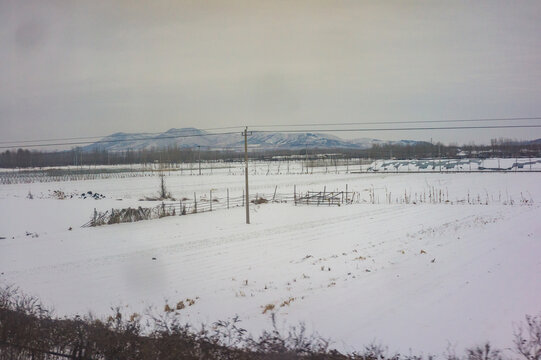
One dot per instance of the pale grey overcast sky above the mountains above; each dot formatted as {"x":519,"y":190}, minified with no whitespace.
{"x":85,"y":68}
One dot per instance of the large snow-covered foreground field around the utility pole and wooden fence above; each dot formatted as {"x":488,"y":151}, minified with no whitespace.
{"x":390,"y":268}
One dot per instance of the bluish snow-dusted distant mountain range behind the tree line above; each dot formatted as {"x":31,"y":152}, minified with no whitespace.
{"x":192,"y":137}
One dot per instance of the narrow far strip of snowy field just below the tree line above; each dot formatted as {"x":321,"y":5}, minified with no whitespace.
{"x":320,"y":165}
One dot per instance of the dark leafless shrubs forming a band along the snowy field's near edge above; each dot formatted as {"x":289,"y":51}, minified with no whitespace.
{"x":28,"y":330}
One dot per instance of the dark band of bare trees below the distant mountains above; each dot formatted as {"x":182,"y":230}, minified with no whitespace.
{"x":24,"y":158}
